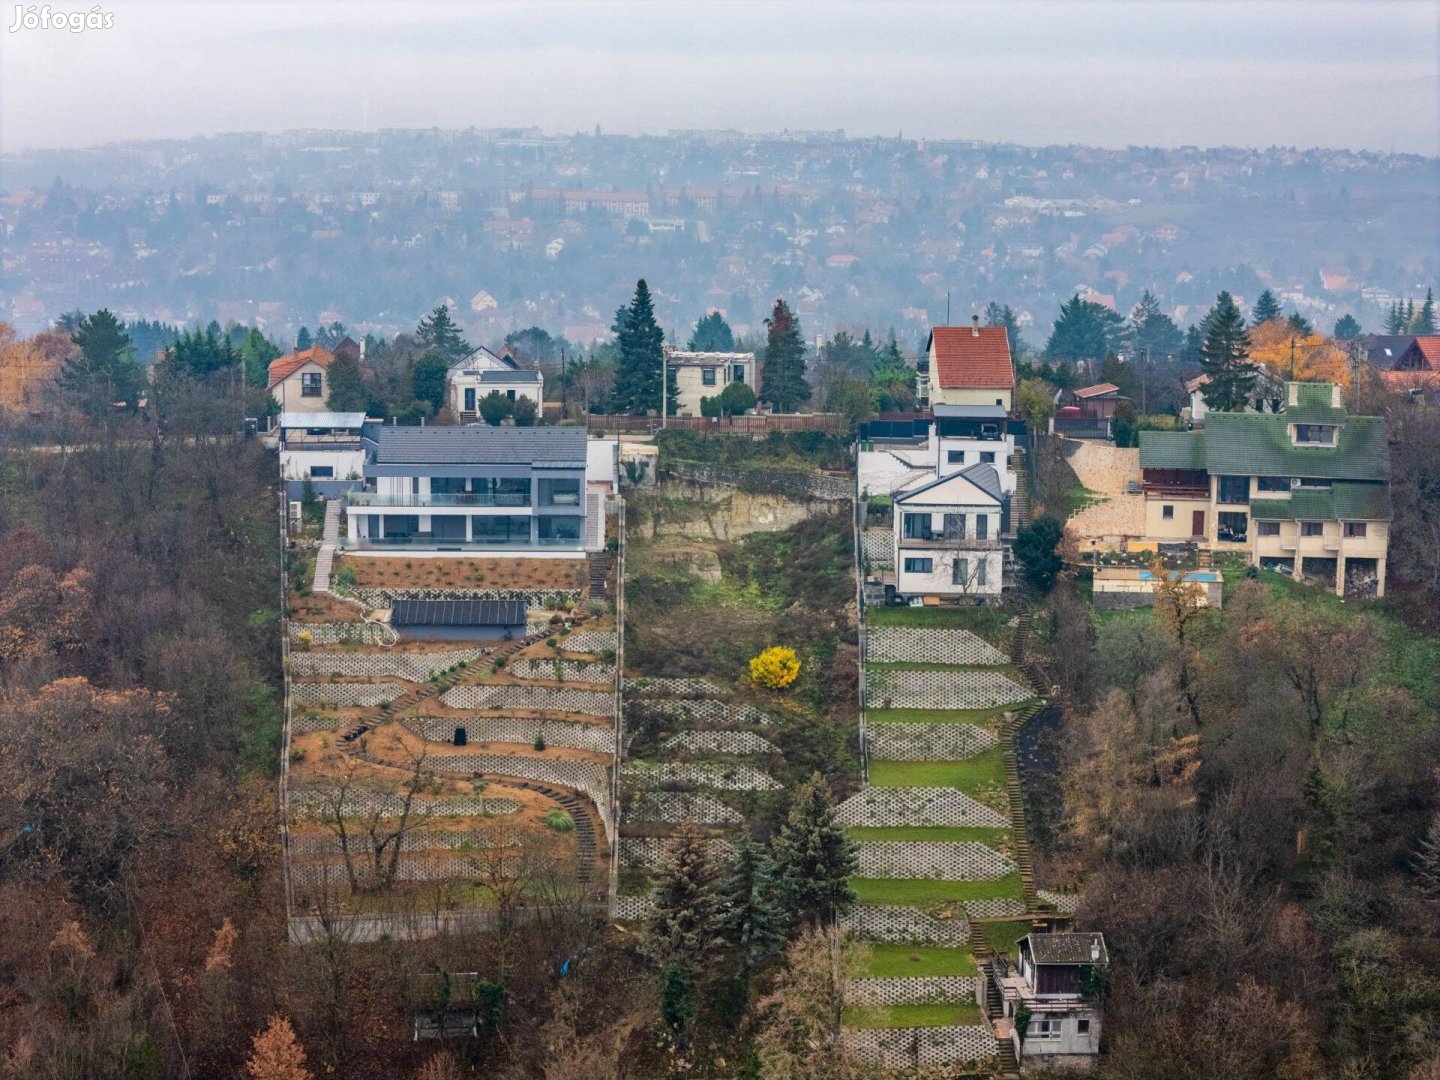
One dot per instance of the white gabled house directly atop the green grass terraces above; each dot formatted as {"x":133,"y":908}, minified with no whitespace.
{"x":948,"y":536}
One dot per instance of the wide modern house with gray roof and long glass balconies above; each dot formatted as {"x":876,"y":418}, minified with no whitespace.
{"x":476,"y":490}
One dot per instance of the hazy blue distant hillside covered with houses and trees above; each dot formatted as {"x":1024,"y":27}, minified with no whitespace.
{"x":518,"y":228}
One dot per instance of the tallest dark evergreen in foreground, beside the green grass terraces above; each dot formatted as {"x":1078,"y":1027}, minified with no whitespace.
{"x":814,"y":858}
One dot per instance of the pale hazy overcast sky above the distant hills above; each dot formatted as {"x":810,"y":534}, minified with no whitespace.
{"x":1360,"y":74}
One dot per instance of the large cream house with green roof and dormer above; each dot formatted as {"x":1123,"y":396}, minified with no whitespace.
{"x":1304,"y":492}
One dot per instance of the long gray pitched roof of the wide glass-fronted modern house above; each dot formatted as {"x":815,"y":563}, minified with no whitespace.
{"x":480,"y":446}
